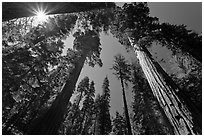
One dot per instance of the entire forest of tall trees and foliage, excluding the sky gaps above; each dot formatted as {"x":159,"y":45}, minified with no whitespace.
{"x":38,"y":81}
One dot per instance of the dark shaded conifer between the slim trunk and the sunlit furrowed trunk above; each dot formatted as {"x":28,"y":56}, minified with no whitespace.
{"x":148,"y":116}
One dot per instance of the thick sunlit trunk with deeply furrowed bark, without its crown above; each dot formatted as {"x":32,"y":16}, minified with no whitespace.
{"x":175,"y":109}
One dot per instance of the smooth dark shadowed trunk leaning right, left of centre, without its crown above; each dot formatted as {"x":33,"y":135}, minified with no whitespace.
{"x":49,"y":123}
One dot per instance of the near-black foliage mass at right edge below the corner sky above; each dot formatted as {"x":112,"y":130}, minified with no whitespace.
{"x":178,"y":38}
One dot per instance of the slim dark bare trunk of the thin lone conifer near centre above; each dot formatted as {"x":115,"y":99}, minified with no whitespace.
{"x":126,"y":108}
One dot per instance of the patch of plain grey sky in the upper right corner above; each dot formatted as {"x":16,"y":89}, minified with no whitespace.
{"x":188,"y":13}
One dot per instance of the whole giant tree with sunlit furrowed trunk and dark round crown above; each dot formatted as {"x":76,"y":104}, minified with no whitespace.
{"x":134,"y":21}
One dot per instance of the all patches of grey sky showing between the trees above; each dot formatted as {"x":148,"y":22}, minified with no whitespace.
{"x":189,"y":14}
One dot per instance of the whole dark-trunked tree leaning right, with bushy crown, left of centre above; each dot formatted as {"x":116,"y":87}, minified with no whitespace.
{"x":87,"y":46}
